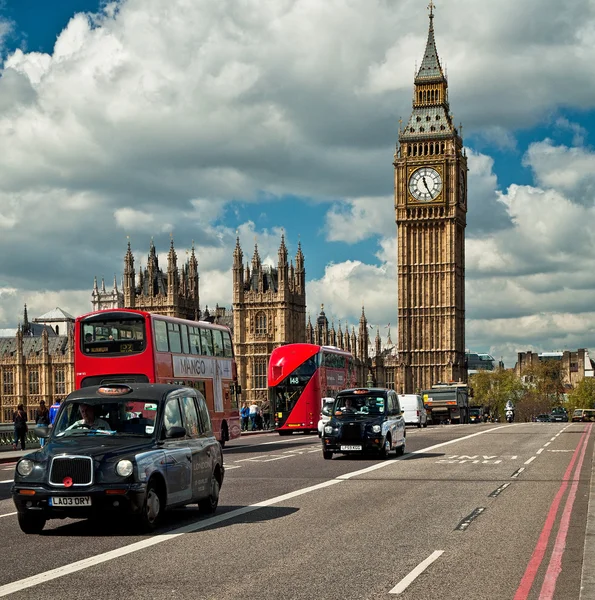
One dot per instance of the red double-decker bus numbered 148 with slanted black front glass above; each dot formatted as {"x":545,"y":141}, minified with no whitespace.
{"x":299,"y":376}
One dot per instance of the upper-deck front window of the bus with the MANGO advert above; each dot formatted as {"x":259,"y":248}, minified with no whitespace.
{"x":113,"y":334}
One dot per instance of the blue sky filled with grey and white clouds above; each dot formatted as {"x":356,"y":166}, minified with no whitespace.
{"x":204,"y":118}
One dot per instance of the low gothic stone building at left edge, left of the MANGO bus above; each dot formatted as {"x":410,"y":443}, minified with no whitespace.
{"x":36,"y":364}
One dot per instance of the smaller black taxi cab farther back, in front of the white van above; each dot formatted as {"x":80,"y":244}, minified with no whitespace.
{"x":363,"y":420}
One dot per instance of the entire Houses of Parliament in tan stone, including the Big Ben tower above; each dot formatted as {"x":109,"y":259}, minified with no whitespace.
{"x":269,"y":301}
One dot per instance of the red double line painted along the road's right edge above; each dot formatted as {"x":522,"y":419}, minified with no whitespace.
{"x":537,"y":557}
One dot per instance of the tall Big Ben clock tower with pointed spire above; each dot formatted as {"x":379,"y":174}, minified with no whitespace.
{"x":430,"y":208}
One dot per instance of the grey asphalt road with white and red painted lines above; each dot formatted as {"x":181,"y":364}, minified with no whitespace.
{"x":474,"y":512}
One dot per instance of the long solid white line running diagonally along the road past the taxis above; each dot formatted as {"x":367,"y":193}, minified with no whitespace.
{"x":28,"y":582}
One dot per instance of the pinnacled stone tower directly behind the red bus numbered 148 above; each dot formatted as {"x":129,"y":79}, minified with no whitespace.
{"x":269,"y":309}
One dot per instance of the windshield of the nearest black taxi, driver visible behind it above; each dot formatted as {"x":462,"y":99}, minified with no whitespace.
{"x":114,"y":417}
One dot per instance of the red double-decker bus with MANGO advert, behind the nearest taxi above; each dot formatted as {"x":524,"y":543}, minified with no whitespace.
{"x":127,"y":346}
